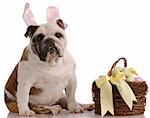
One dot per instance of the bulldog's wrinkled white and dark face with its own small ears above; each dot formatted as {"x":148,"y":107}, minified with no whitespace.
{"x":48,"y":40}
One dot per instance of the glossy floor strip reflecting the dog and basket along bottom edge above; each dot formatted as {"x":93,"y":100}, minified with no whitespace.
{"x":66,"y":114}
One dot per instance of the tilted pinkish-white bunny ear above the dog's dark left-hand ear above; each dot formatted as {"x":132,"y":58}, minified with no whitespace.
{"x":28,"y":15}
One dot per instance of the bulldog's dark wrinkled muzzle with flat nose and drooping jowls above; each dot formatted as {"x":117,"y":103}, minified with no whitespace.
{"x":48,"y":49}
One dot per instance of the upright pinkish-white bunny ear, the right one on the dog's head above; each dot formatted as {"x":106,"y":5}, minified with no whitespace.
{"x":52,"y":14}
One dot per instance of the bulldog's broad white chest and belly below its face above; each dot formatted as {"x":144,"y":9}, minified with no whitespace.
{"x":50,"y":80}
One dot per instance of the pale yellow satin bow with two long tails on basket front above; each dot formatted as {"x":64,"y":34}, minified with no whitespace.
{"x":118,"y":79}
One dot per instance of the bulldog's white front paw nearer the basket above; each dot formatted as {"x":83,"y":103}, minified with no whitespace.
{"x":75,"y":108}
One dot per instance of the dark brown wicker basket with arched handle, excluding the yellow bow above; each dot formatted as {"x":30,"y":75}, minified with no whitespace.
{"x":120,"y":108}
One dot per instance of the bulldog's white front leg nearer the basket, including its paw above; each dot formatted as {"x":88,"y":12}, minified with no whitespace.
{"x":73,"y":106}
